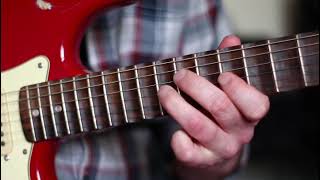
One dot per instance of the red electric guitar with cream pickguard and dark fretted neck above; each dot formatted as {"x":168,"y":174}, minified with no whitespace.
{"x":47,"y":94}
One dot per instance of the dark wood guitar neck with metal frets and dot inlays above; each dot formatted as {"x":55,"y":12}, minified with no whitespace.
{"x":110,"y":98}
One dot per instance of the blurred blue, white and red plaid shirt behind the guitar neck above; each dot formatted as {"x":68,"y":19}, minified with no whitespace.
{"x":145,"y":31}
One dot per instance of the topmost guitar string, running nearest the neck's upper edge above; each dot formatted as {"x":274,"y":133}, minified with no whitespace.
{"x":221,"y":51}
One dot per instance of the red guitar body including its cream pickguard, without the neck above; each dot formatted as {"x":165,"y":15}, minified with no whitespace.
{"x":34,"y":40}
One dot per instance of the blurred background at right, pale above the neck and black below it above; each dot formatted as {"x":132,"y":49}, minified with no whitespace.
{"x":286,"y":142}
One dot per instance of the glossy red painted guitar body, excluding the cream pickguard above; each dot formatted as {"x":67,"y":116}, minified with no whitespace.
{"x":28,"y":31}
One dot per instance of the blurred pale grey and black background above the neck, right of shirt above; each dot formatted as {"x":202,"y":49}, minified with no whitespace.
{"x":253,"y":20}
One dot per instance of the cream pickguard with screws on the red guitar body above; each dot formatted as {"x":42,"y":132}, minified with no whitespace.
{"x":15,"y":158}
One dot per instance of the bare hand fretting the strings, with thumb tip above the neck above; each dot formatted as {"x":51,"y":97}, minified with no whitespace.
{"x":213,"y":143}
